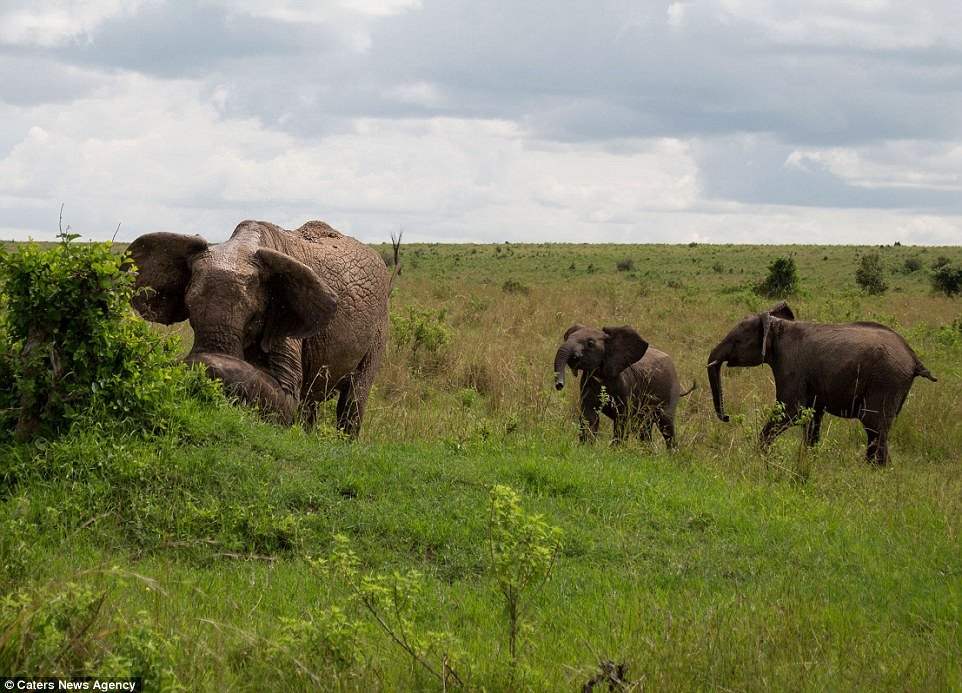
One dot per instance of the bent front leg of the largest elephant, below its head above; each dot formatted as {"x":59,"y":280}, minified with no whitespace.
{"x":249,"y":384}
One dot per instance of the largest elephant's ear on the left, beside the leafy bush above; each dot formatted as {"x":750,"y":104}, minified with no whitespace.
{"x":163,"y":263}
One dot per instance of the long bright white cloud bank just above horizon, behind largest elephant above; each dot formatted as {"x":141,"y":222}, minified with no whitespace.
{"x":152,"y":152}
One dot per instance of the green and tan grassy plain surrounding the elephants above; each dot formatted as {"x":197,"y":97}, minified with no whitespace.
{"x":195,"y":556}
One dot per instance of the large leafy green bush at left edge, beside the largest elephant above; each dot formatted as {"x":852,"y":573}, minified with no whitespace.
{"x":71,"y":345}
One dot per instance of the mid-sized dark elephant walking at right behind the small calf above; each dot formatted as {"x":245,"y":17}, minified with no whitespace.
{"x":859,"y":370}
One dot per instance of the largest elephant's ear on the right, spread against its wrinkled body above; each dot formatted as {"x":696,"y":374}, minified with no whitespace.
{"x":299,"y":303}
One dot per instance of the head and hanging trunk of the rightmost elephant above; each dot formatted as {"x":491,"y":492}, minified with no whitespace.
{"x":748,"y":344}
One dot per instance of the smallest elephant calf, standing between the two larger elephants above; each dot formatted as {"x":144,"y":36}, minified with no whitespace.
{"x":640,"y":381}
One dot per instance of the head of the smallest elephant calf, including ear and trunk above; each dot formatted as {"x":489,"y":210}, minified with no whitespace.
{"x":607,"y":351}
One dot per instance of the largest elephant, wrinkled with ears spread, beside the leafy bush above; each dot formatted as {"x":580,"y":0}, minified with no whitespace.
{"x":286,"y":319}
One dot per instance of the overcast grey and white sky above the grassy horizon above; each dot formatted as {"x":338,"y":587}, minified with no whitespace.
{"x":744,"y":121}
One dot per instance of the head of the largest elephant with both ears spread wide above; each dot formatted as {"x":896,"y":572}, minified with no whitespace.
{"x":237,"y":295}
